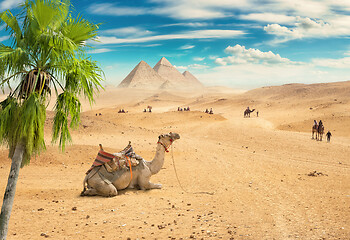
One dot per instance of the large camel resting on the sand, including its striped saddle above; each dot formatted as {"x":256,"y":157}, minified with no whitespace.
{"x":107,"y":177}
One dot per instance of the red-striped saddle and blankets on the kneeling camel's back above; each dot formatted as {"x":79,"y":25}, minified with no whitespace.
{"x":124,"y":159}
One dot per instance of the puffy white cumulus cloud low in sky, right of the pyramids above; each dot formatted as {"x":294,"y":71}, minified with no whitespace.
{"x":241,"y":55}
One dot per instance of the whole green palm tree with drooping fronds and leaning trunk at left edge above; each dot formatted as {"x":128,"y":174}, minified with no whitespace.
{"x":47,"y":51}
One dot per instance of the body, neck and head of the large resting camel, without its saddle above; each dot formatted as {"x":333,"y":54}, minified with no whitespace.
{"x":121,"y":179}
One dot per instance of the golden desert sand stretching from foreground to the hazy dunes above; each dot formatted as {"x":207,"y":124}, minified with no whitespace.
{"x":243,"y":178}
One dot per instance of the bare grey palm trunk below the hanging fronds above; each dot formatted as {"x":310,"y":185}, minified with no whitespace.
{"x":10,"y":191}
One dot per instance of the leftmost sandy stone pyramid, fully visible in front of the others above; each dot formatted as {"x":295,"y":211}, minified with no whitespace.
{"x":142,"y":76}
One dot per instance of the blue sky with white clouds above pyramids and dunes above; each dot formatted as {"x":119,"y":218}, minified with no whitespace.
{"x":241,"y":44}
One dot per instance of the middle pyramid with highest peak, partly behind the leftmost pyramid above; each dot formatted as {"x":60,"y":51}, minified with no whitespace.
{"x":170,"y":73}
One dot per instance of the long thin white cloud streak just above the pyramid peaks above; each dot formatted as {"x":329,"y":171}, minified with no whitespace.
{"x":199,"y":34}
